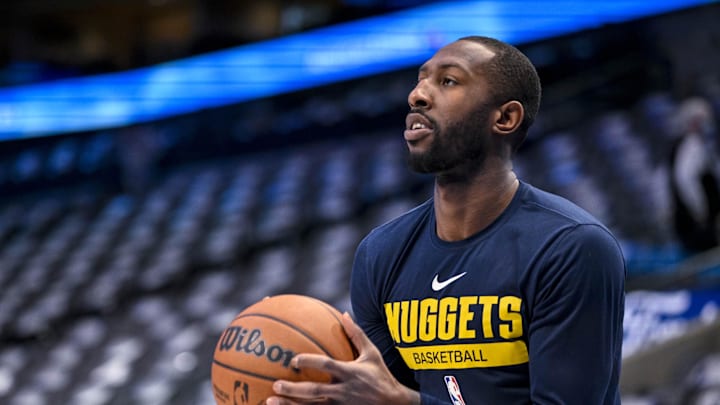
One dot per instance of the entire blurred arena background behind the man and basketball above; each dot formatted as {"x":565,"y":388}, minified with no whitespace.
{"x":165,"y":163}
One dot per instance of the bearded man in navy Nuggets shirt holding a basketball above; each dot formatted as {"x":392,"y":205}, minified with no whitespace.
{"x":492,"y":291}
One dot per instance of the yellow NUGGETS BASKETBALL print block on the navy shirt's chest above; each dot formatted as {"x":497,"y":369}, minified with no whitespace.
{"x":458,"y":332}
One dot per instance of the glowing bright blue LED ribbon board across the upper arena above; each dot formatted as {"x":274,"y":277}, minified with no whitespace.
{"x":346,"y":51}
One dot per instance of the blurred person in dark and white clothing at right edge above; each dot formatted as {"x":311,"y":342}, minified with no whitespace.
{"x":695,"y":176}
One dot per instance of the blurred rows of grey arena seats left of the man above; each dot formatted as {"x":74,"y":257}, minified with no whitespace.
{"x":94,"y":282}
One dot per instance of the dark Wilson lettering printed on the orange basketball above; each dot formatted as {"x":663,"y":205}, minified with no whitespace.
{"x":239,"y":339}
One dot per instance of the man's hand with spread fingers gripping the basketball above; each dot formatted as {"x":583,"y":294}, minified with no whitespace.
{"x":365,"y":380}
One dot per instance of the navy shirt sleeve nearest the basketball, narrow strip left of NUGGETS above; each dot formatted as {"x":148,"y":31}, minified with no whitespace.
{"x":368,"y":312}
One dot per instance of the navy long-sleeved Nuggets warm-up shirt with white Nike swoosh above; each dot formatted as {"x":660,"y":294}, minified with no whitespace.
{"x":529,"y":310}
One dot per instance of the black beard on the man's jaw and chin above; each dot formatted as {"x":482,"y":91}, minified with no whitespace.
{"x":461,"y":148}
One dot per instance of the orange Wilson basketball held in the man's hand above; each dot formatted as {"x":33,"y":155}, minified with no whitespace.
{"x":255,"y":349}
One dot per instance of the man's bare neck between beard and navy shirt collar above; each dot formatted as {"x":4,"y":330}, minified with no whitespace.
{"x":464,"y":208}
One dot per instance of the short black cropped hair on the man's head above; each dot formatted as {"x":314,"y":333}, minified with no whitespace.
{"x":513,"y":77}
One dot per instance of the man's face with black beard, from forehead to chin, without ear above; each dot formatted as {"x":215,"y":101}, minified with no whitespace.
{"x":449,"y":124}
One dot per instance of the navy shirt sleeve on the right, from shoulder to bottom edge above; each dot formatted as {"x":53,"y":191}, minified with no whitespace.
{"x":575,"y":327}
